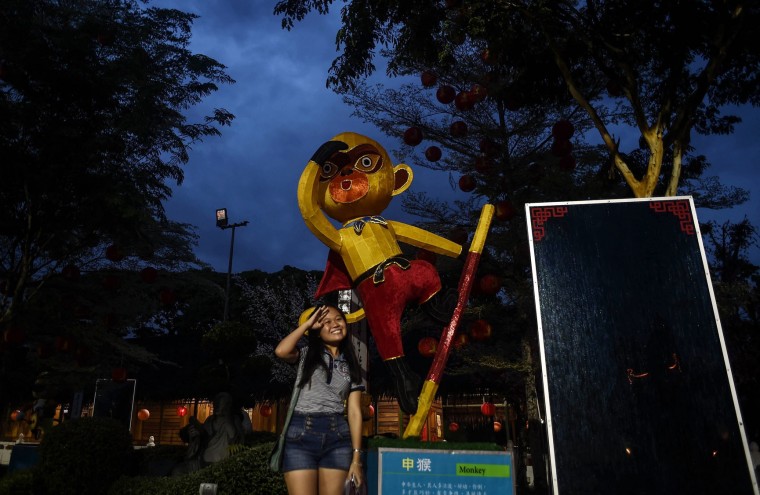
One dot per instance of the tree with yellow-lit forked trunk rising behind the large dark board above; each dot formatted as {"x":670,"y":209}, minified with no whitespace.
{"x":666,"y":69}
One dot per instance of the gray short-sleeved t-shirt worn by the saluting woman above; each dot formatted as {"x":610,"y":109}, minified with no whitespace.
{"x":327,"y":390}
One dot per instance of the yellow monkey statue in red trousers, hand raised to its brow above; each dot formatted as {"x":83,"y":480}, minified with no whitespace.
{"x":351,"y":180}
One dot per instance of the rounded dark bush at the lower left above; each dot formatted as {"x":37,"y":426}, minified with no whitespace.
{"x":83,"y":456}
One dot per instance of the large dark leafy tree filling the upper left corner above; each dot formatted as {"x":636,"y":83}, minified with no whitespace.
{"x":92,"y":94}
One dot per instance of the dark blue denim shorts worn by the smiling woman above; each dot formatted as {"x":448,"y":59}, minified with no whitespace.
{"x":315,"y":441}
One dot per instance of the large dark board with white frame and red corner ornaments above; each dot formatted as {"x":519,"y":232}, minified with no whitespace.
{"x":638,"y":390}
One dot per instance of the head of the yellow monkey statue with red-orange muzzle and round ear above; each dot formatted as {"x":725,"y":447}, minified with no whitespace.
{"x":359,"y":181}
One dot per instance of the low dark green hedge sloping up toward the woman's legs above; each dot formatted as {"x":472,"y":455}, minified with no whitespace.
{"x":246,"y":471}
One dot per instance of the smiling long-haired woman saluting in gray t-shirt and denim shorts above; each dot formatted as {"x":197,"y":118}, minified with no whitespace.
{"x":322,"y":450}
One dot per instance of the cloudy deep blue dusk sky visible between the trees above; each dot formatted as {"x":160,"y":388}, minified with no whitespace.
{"x":284,"y":112}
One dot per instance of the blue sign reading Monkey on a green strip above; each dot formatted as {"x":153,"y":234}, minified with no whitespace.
{"x":432,"y":472}
